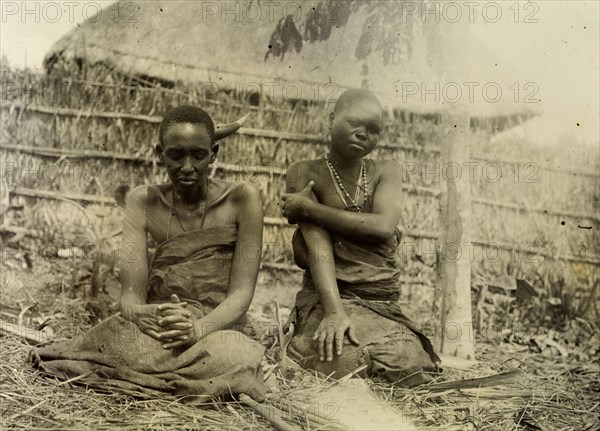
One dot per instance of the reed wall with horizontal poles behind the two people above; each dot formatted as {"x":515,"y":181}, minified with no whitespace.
{"x":535,"y":218}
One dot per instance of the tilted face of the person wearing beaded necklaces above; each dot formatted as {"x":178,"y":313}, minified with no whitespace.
{"x":356,"y":128}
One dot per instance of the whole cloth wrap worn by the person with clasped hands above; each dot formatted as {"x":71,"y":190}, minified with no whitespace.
{"x":116,"y":355}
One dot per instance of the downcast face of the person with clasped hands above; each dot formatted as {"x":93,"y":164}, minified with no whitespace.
{"x":187,"y":151}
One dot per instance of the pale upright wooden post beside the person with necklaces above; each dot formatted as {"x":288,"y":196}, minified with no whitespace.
{"x":456,"y":336}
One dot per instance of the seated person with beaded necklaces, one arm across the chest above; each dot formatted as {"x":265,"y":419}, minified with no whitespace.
{"x":347,"y":208}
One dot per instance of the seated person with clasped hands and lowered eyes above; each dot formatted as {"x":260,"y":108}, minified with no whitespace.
{"x":174,"y":333}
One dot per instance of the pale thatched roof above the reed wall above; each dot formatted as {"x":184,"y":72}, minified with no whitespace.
{"x":219,"y":44}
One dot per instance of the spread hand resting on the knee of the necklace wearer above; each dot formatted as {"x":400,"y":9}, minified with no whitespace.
{"x":331,"y":332}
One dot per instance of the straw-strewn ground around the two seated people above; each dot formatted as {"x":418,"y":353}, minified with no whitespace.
{"x":545,"y":391}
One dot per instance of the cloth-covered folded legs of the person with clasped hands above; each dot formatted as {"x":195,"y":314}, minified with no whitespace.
{"x":116,"y":354}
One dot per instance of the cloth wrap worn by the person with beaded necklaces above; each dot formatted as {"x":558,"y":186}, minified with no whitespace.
{"x":390,"y":344}
